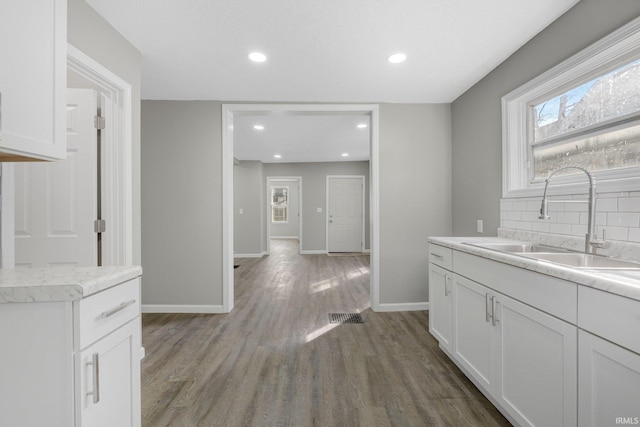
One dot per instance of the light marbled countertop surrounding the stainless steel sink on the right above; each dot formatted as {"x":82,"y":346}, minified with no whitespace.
{"x":621,"y":282}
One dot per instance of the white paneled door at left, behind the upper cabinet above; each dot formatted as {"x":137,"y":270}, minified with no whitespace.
{"x":56,"y":202}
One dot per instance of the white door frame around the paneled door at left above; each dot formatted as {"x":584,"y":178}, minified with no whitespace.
{"x":117,"y":191}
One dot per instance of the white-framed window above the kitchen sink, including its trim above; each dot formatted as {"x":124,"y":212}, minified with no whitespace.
{"x":584,"y":112}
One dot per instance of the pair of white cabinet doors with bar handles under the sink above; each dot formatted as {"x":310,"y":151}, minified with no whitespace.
{"x":524,"y":359}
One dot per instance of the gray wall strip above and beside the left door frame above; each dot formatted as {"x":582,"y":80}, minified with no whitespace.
{"x":91,"y":34}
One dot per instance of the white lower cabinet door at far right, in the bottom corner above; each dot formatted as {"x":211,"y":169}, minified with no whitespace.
{"x":609,"y":383}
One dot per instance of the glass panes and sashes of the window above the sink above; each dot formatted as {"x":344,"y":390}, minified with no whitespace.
{"x":605,"y":109}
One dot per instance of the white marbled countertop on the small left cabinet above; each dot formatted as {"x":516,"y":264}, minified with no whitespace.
{"x":60,"y":283}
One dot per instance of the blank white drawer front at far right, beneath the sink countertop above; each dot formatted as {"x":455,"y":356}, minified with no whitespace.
{"x":613,"y":317}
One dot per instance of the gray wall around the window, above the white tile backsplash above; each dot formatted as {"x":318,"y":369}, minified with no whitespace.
{"x":476,"y":115}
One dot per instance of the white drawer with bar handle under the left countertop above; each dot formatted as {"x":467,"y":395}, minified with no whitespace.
{"x":106,"y":311}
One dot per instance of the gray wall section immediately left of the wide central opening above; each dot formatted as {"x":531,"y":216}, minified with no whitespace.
{"x":182,"y":202}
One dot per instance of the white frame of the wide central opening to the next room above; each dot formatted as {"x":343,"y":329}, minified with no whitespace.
{"x":228,"y":113}
